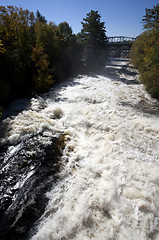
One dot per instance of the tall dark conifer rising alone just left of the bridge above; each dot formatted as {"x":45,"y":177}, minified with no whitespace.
{"x":94,"y":40}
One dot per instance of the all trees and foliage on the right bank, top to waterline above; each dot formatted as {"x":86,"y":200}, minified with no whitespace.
{"x":145,"y":52}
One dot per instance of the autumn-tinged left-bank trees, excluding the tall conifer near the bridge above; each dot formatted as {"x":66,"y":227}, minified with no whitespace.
{"x":33,"y":53}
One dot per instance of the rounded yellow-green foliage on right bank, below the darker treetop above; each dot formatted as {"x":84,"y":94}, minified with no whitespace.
{"x":145,"y":57}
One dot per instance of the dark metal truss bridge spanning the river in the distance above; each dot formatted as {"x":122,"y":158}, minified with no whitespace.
{"x":119,"y":46}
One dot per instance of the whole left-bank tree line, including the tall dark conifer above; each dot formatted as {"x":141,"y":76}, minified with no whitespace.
{"x":34,"y":54}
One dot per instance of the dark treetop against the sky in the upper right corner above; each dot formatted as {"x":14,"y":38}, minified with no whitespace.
{"x":151,"y":18}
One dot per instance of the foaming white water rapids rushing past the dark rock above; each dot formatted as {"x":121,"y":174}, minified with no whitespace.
{"x":109,"y":180}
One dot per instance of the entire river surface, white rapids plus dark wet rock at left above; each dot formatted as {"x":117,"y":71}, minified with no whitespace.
{"x":92,"y":146}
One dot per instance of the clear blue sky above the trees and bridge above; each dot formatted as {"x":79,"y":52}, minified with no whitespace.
{"x":121,"y":17}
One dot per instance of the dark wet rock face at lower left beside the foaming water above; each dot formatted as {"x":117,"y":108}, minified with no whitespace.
{"x":28,"y":171}
